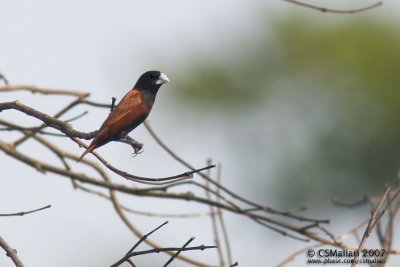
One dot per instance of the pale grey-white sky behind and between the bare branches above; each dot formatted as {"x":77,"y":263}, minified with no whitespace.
{"x":102,"y":47}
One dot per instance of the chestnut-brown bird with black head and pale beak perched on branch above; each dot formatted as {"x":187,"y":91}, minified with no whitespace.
{"x":131,"y":111}
